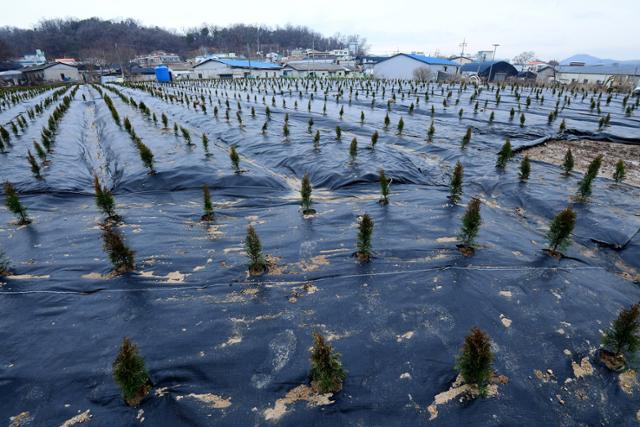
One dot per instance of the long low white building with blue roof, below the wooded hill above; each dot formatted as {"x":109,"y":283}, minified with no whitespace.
{"x":223,"y":68}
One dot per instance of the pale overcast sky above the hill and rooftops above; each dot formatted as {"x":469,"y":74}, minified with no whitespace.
{"x":551,"y":28}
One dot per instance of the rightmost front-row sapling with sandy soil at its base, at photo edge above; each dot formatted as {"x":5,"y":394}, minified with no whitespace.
{"x":622,"y":340}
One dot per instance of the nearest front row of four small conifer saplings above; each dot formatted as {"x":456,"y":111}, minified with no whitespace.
{"x":474,"y":362}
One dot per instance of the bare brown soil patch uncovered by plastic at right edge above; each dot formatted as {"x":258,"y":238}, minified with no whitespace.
{"x":584,"y":151}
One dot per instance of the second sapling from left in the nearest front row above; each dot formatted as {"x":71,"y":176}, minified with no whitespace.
{"x":327,"y":374}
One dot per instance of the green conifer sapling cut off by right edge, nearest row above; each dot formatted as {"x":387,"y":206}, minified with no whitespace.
{"x":623,"y":336}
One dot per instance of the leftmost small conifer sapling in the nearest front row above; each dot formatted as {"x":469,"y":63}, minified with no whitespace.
{"x":130,"y":374}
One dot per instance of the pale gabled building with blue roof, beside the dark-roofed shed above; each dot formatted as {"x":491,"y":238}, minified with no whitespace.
{"x":409,"y":66}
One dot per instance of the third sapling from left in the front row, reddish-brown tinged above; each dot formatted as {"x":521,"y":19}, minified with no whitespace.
{"x":475,"y":360}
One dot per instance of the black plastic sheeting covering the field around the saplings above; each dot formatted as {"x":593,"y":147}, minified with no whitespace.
{"x":224,"y":347}
